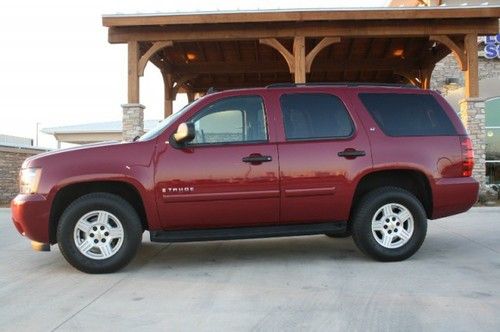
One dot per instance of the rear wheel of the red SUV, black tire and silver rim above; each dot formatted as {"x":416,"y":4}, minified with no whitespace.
{"x":393,"y":240}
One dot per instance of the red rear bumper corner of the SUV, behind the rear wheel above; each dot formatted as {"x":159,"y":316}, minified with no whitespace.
{"x":454,"y":195}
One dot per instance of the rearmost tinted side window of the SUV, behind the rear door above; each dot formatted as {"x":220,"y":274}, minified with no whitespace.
{"x":408,"y":114}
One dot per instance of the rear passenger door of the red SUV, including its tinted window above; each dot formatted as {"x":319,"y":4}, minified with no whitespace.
{"x":323,"y":152}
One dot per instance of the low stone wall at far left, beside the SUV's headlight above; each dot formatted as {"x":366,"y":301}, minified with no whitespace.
{"x":11,"y":160}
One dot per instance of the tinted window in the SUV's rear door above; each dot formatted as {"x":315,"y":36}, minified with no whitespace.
{"x":309,"y":116}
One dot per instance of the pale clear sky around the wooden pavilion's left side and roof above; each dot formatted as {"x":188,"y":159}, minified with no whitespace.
{"x":57,"y":67}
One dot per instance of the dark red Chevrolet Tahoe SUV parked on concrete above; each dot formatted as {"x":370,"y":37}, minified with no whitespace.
{"x":372,"y":161}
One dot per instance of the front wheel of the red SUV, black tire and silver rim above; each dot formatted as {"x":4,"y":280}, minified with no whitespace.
{"x":99,"y":233}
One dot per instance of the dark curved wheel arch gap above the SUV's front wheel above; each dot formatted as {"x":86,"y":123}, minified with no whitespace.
{"x":70,"y":192}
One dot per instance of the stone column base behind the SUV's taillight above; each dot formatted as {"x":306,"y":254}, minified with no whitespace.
{"x":472,"y":113}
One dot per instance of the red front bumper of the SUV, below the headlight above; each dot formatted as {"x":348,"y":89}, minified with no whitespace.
{"x":30,"y":214}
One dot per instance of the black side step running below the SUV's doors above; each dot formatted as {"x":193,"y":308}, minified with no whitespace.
{"x":235,"y":233}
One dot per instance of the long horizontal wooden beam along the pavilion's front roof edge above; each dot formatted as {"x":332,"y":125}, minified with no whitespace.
{"x":386,"y":28}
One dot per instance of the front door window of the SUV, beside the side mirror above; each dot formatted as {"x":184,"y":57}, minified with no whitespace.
{"x":231,"y":120}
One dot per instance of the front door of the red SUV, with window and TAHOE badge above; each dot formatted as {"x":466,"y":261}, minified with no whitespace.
{"x":227,"y":176}
